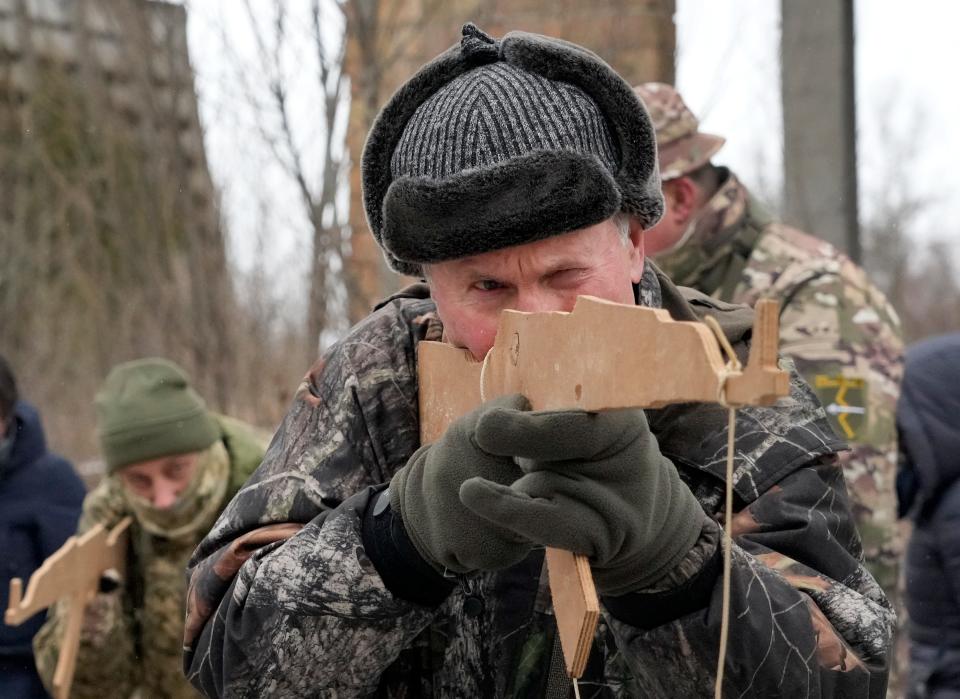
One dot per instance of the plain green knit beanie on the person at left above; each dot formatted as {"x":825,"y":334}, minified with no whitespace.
{"x":146,"y":409}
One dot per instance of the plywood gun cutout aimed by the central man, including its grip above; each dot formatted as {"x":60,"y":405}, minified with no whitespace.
{"x":600,"y":356}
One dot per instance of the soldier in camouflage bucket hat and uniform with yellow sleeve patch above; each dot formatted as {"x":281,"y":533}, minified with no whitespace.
{"x":839,"y":329}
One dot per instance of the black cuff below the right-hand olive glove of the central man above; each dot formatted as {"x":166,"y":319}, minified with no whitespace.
{"x":650,"y":610}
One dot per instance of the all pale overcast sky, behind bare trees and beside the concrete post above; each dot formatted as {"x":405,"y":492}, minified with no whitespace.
{"x":727,"y":70}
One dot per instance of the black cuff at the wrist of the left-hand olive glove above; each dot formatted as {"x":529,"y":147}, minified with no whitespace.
{"x":400,"y":566}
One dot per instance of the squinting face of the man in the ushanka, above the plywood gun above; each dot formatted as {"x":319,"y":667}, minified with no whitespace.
{"x":546,"y":275}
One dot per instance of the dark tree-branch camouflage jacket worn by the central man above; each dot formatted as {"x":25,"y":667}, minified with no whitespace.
{"x":284,"y":600}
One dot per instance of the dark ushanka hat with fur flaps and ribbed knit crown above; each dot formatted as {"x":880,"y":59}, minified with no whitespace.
{"x":500,"y":143}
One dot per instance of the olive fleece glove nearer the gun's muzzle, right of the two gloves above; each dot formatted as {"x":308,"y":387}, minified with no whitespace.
{"x":596,"y":484}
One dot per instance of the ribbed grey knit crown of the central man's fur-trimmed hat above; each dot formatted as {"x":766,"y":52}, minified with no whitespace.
{"x":497,"y":112}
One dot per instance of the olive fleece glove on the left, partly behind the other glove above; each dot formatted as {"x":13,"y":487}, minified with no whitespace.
{"x":426,"y":493}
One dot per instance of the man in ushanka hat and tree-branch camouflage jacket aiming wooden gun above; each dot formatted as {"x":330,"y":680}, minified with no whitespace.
{"x":520,"y":174}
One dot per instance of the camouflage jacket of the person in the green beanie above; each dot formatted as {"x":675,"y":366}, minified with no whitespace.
{"x":132,"y":638}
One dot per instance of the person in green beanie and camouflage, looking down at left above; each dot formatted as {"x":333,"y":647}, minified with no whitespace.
{"x":173,"y":465}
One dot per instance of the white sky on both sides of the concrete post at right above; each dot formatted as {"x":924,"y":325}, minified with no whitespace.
{"x":906,"y":54}
